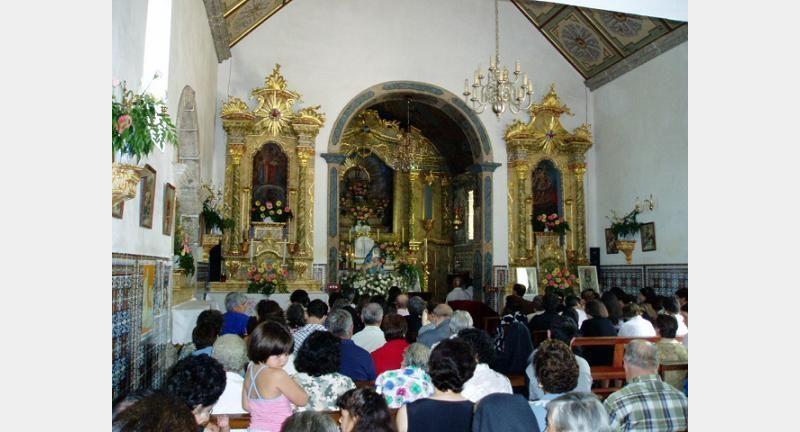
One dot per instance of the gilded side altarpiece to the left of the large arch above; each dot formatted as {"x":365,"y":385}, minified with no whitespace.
{"x":273,"y":128}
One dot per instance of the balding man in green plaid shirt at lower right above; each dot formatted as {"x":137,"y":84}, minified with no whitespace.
{"x":646,"y":403}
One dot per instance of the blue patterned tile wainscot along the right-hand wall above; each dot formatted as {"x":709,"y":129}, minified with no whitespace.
{"x":665,"y":279}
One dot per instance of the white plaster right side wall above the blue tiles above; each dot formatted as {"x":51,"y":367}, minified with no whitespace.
{"x":641,"y":141}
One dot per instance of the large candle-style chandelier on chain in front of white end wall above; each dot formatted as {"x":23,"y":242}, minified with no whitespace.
{"x":498,"y":91}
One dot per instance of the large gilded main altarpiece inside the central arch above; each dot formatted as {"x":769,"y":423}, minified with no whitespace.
{"x":406,"y":170}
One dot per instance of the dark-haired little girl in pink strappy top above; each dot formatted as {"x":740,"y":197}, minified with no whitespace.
{"x":268,"y":391}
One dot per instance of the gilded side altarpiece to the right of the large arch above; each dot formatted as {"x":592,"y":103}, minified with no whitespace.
{"x":535,"y":149}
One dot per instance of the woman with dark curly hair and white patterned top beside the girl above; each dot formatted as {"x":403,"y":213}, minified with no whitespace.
{"x":317,"y":364}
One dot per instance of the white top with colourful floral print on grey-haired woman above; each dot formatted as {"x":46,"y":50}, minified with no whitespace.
{"x":401,"y":386}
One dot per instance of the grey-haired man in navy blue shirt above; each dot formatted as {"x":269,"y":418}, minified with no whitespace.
{"x":356,"y":361}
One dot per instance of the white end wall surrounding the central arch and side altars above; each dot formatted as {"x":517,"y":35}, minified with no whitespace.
{"x":331,"y":51}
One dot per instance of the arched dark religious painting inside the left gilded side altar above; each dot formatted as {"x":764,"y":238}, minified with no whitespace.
{"x":270,"y":175}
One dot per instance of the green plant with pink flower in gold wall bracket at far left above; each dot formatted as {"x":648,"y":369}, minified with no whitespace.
{"x":139,"y":123}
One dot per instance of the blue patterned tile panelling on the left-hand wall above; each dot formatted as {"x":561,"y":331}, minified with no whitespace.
{"x":140,"y":288}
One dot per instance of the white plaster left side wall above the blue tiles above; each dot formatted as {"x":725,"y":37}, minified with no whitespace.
{"x":192,"y":62}
